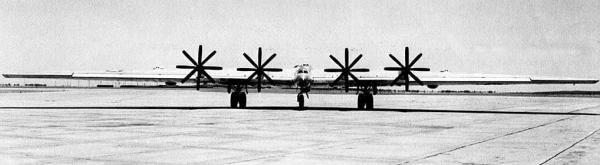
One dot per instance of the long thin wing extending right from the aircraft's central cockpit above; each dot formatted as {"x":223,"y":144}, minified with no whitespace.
{"x":448,"y":78}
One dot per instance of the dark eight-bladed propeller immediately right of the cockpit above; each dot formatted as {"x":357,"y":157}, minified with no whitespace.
{"x":346,"y":70}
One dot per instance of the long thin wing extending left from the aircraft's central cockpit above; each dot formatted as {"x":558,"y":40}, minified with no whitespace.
{"x":221,"y":78}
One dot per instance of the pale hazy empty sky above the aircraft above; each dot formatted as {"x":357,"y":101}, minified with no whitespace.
{"x":530,"y":37}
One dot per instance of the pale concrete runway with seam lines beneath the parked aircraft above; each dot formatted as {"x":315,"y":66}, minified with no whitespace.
{"x":134,"y":126}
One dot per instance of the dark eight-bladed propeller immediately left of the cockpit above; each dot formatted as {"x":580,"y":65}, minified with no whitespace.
{"x":259,"y":69}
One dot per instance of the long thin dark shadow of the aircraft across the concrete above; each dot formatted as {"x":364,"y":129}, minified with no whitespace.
{"x":315,"y":109}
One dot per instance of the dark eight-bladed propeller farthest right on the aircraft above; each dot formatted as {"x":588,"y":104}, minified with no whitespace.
{"x":406,"y":71}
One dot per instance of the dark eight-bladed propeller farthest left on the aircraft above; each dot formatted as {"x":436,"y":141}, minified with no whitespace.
{"x":198,"y":67}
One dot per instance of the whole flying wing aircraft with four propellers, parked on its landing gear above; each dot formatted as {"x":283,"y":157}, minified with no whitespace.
{"x":304,"y":77}
